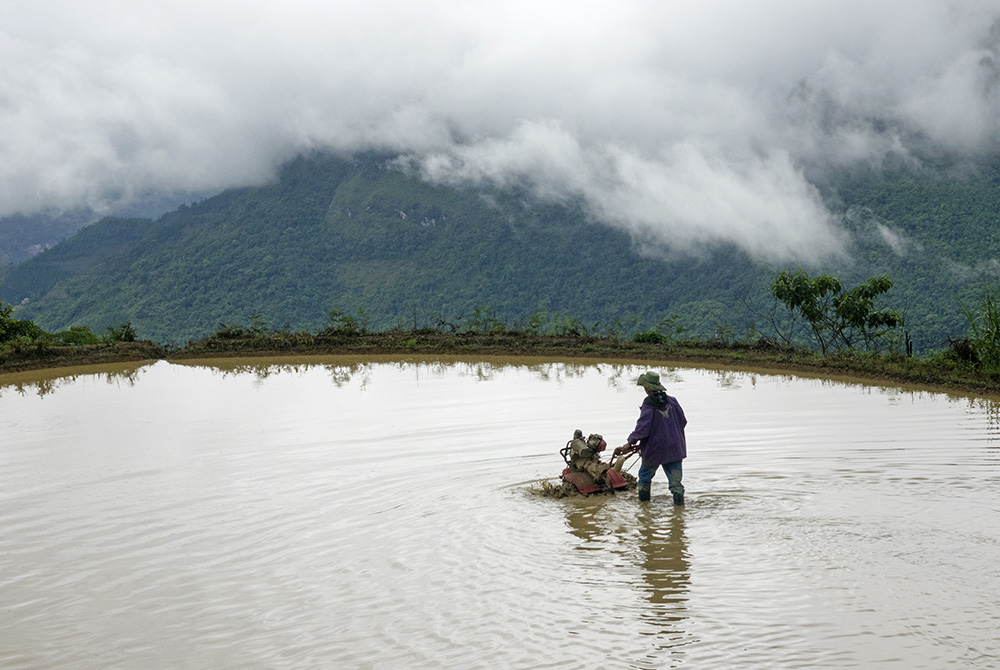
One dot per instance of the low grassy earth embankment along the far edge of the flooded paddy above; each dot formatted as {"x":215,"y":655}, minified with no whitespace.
{"x":938,"y":372}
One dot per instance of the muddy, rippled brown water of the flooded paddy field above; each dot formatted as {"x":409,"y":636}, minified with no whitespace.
{"x":380,"y":514}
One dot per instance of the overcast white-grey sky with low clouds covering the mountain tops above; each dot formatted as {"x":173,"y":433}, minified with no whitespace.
{"x":687,"y":123}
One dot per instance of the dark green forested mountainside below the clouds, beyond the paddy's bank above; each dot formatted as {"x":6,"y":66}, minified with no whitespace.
{"x":356,"y":233}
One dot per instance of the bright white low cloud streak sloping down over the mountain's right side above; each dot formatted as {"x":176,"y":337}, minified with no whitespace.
{"x":682,"y":199}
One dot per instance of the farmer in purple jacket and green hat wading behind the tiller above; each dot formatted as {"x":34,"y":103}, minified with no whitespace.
{"x":659,"y":437}
